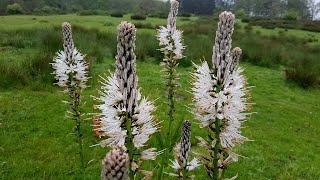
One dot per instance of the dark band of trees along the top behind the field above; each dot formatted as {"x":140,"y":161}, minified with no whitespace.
{"x":302,"y":9}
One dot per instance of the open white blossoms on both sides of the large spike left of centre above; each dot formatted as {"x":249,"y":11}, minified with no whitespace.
{"x":112,"y":116}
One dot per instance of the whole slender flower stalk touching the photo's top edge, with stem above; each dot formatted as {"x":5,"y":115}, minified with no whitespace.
{"x":170,"y":41}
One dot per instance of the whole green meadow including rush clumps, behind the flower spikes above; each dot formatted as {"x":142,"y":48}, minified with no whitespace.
{"x":36,"y":141}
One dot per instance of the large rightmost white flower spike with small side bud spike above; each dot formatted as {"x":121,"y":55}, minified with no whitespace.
{"x":220,"y":99}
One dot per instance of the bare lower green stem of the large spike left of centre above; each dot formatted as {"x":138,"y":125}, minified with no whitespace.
{"x":130,"y":144}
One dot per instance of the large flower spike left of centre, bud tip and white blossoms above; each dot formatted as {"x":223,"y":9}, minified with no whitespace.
{"x":126,"y":118}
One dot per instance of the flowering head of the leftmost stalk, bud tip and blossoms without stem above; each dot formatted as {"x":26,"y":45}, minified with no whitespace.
{"x":70,"y":68}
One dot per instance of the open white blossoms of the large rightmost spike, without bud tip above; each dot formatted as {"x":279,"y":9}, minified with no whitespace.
{"x":227,"y":105}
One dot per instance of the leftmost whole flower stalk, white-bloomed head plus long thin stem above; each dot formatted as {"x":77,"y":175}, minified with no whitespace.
{"x":71,"y":73}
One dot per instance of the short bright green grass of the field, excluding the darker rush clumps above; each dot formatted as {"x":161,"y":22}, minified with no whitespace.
{"x":36,"y":141}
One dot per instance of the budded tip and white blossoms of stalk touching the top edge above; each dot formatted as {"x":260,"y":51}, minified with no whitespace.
{"x":170,"y":39}
